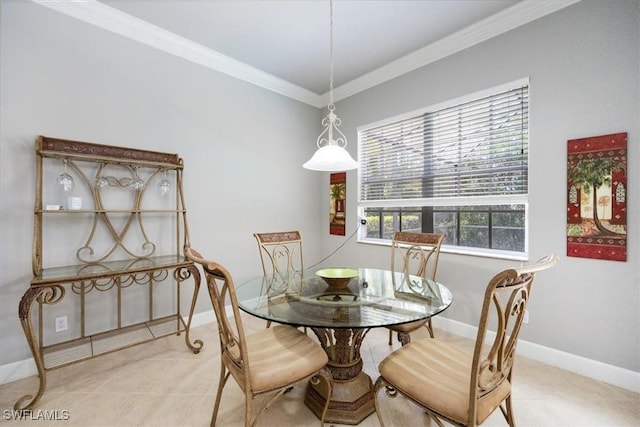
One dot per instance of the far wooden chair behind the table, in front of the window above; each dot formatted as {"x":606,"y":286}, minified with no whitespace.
{"x":417,"y":254}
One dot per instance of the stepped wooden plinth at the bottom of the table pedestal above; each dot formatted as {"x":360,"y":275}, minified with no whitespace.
{"x":351,"y":403}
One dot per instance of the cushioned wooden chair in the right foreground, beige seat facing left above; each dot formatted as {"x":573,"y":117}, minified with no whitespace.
{"x":457,"y":385}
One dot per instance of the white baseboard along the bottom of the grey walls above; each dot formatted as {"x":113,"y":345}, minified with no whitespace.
{"x":620,"y":377}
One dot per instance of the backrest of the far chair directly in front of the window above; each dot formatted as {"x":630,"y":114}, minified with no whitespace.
{"x":416,"y":253}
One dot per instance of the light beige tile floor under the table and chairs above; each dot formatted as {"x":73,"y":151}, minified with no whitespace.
{"x":163,"y":384}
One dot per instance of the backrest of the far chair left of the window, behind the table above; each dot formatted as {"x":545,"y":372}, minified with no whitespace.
{"x":280,"y":252}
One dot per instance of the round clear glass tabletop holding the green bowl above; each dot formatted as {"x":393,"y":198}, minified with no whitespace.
{"x":374,"y":298}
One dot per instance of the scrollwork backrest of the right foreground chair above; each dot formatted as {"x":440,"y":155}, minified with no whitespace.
{"x":503,"y":311}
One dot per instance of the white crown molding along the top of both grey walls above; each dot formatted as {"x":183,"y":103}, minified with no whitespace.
{"x":108,"y":18}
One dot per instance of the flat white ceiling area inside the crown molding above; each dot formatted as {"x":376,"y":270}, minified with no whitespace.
{"x":290,"y":39}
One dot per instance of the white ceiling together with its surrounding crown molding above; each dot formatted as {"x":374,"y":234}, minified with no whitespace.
{"x":283,"y":45}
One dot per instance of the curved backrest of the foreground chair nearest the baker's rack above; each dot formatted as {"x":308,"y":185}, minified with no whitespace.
{"x":223,"y":294}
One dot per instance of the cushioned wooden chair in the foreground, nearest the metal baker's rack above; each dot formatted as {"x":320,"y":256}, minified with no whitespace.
{"x":268,"y":362}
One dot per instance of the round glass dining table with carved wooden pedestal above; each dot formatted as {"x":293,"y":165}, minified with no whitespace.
{"x":341,"y":317}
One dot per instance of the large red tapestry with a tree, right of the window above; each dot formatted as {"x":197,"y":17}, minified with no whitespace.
{"x":597,"y":197}
